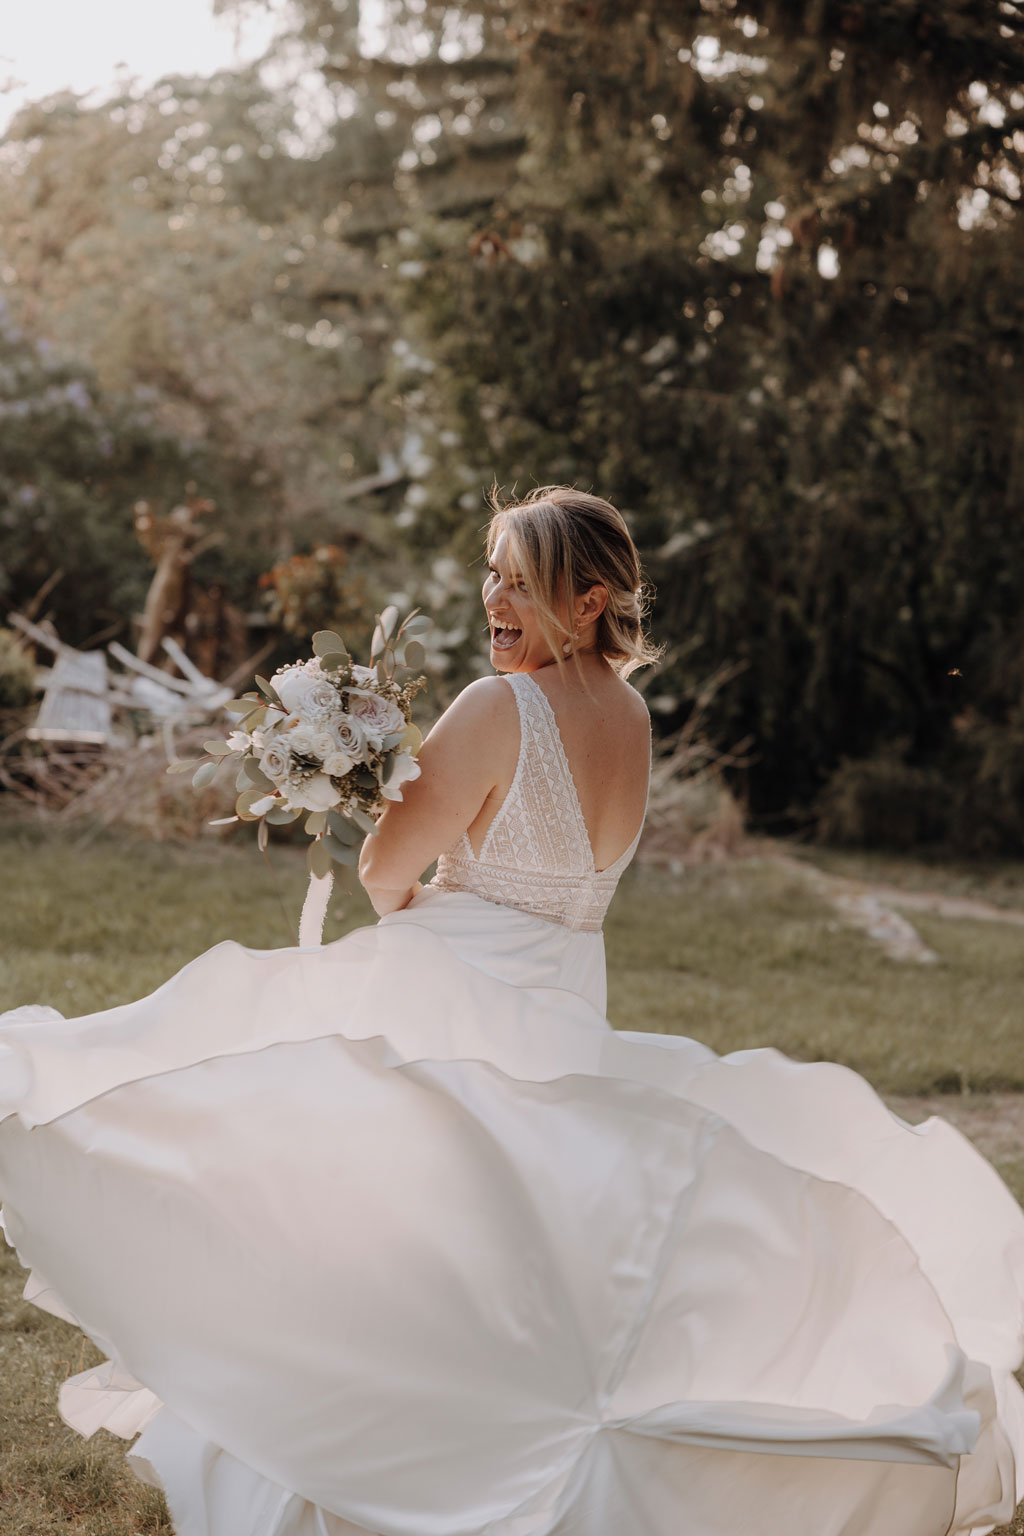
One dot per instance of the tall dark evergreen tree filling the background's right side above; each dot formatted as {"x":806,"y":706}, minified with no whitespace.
{"x":756,"y":280}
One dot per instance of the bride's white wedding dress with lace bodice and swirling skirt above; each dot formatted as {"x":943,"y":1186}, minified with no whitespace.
{"x":400,"y":1237}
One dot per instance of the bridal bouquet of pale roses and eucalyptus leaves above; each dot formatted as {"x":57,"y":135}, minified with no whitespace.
{"x":326,"y":738}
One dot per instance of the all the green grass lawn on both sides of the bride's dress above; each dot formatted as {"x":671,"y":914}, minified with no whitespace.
{"x":742,"y":955}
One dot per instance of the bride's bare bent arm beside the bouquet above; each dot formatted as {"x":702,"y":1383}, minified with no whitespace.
{"x":464,"y":758}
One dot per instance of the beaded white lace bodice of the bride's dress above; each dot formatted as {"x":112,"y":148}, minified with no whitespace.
{"x":537,"y":855}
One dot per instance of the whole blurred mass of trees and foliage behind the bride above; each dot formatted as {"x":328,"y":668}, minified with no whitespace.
{"x":748,"y":268}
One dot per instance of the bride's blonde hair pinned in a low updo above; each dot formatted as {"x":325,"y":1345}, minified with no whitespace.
{"x":564,"y":543}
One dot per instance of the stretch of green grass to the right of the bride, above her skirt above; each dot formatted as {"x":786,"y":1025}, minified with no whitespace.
{"x":747,"y":955}
